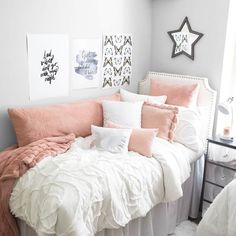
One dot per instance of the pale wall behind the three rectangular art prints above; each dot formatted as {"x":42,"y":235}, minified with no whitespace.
{"x":78,"y":18}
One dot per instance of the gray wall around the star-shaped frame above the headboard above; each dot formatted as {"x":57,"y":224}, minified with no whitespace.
{"x":206,"y":16}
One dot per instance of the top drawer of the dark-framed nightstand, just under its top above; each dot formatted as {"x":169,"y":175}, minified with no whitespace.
{"x":220,"y":153}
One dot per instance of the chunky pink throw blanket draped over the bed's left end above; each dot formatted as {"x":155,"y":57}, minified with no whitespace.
{"x":14,"y":162}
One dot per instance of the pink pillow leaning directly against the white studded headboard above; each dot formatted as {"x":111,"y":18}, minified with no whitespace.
{"x":177,"y":94}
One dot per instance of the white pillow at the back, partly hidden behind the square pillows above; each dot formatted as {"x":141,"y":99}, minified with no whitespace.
{"x":134,"y":97}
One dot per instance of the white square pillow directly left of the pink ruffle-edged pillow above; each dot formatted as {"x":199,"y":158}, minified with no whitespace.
{"x":127,"y":114}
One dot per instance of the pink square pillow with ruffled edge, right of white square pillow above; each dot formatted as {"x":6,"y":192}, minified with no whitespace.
{"x":162,"y":117}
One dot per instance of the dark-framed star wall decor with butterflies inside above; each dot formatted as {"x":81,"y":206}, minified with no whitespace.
{"x":184,"y":40}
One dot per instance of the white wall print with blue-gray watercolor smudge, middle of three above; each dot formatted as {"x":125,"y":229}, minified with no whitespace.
{"x":86,"y":56}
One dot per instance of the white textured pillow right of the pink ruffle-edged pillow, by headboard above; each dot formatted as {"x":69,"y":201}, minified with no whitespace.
{"x":188,"y":128}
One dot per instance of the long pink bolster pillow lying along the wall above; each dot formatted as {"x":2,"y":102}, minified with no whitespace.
{"x":35,"y":123}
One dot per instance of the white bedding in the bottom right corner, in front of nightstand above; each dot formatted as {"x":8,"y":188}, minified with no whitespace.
{"x":220,"y":218}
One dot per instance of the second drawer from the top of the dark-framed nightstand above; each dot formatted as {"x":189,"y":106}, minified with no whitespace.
{"x":218,"y":174}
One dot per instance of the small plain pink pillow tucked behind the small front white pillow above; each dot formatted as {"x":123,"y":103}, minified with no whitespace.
{"x":141,"y":140}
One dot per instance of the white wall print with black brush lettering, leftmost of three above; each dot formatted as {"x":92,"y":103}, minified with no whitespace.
{"x":48,"y":65}
